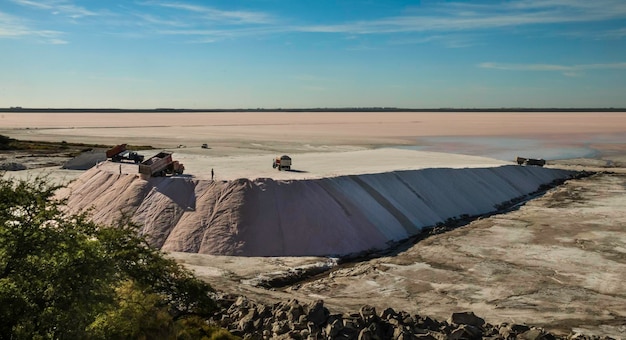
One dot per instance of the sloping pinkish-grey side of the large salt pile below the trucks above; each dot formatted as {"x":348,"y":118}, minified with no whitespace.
{"x":327,"y":216}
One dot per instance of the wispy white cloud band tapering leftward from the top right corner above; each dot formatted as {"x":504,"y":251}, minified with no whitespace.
{"x":457,"y":16}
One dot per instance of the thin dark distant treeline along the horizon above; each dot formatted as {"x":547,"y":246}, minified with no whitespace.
{"x":329,"y":109}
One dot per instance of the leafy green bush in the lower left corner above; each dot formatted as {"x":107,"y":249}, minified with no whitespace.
{"x":65,"y":277}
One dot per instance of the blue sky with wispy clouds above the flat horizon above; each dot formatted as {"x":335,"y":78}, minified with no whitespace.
{"x":312,"y":53}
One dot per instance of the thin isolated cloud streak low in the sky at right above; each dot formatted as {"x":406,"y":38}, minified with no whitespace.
{"x":568,"y":70}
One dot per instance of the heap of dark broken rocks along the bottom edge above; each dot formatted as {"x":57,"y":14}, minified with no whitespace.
{"x":297,"y":320}
